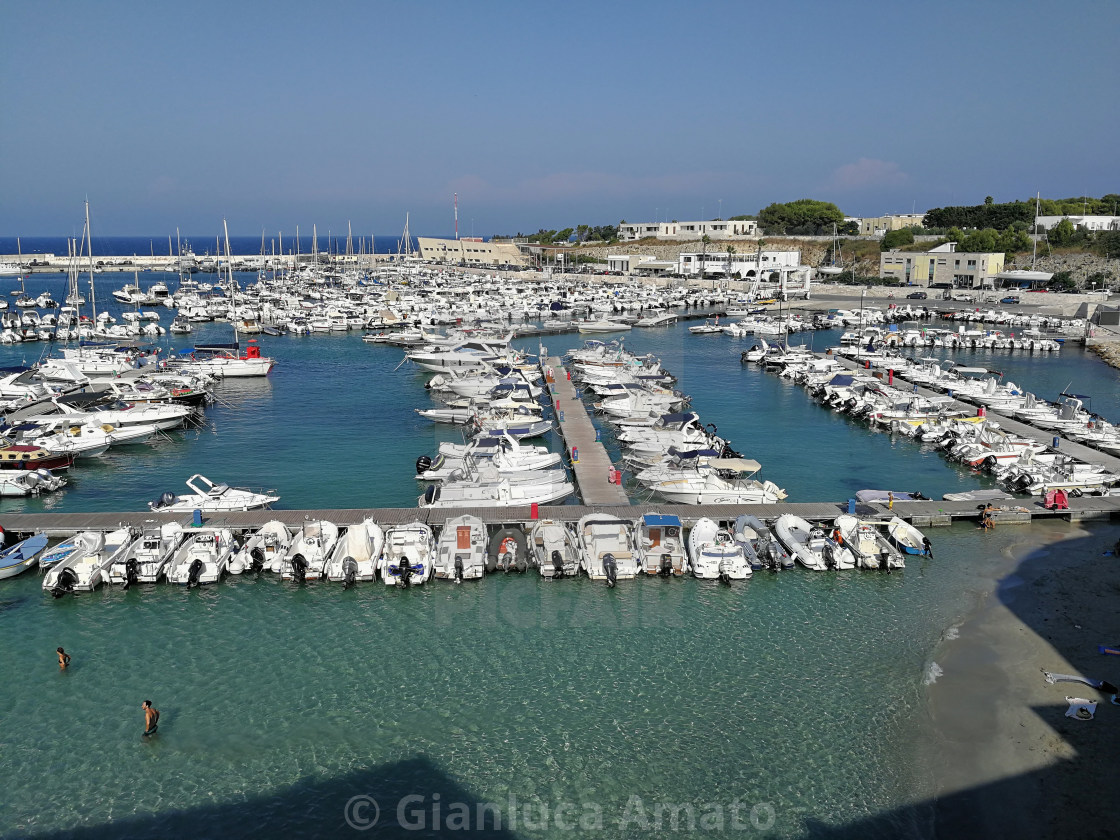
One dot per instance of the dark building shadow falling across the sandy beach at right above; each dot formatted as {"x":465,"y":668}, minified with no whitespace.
{"x":1080,"y":795}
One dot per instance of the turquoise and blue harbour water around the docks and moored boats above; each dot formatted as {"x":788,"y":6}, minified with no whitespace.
{"x":796,"y":696}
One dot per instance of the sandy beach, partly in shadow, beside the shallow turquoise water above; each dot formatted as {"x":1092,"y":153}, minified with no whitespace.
{"x":1003,"y":758}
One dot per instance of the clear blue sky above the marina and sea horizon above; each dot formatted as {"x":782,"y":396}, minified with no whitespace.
{"x":276,"y":115}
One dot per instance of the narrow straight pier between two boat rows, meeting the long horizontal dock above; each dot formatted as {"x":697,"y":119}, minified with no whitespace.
{"x":594,"y":468}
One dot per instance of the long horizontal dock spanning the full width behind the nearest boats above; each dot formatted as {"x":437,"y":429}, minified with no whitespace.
{"x":922,"y":515}
